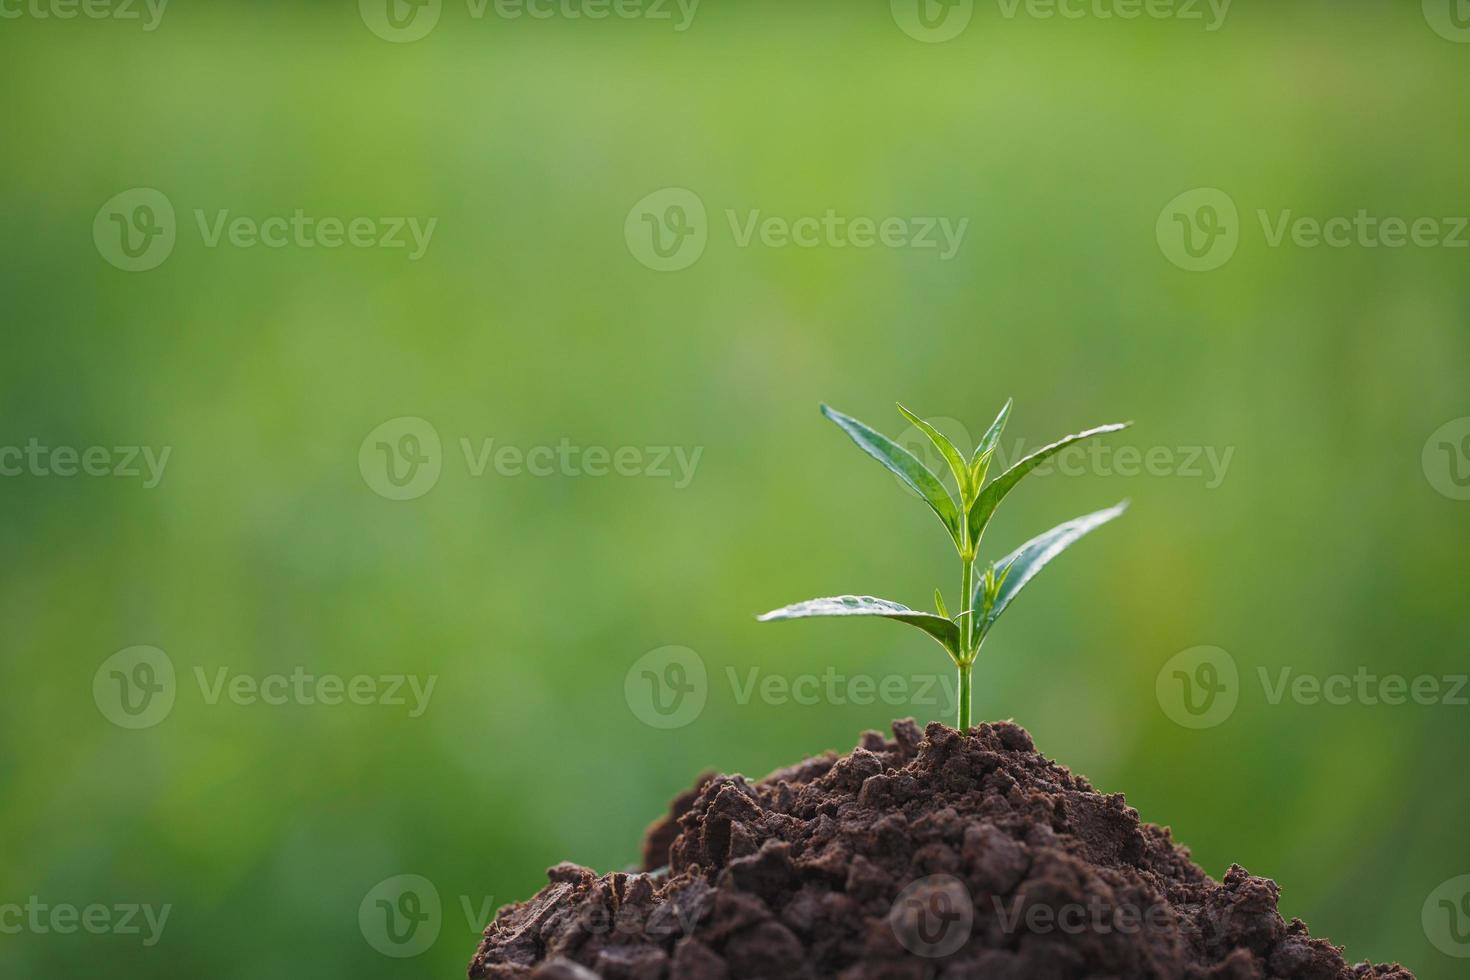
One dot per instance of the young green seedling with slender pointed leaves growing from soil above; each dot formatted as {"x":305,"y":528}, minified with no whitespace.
{"x":981,"y":602}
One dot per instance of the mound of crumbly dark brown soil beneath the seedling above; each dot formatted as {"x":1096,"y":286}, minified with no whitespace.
{"x":937,"y":854}
